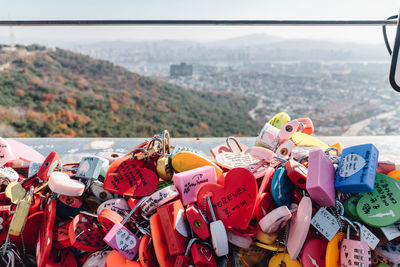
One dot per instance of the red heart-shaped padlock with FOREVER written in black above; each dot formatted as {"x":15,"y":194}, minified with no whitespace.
{"x":234,"y":201}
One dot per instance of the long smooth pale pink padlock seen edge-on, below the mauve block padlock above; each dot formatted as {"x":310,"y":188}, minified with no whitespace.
{"x":299,"y":226}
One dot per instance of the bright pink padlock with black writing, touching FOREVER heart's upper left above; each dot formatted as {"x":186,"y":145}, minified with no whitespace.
{"x":189,"y":182}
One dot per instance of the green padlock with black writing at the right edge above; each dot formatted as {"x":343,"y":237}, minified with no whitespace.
{"x":381,"y":207}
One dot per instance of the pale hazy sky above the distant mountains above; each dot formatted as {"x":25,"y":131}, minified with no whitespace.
{"x":190,"y":9}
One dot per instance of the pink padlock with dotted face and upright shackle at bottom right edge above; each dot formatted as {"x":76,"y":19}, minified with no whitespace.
{"x":353,"y":252}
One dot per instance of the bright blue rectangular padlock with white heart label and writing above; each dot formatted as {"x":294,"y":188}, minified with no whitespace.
{"x":357,"y":169}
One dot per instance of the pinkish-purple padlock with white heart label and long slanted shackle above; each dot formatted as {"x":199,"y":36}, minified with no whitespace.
{"x":123,"y":240}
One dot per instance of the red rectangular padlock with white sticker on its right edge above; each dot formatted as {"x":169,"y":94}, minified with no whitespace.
{"x":173,"y":221}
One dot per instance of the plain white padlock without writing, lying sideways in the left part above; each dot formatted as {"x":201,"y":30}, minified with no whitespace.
{"x":62,"y":183}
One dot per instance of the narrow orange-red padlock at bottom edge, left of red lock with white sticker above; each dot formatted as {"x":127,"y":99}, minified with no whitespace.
{"x":160,"y":244}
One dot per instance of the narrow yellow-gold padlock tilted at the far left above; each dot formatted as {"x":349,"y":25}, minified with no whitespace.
{"x":21,"y":214}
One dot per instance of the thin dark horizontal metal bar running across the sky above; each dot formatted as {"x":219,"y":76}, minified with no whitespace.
{"x":197,"y":22}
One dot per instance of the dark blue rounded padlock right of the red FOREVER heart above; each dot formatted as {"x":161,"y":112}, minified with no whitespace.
{"x":281,"y":188}
